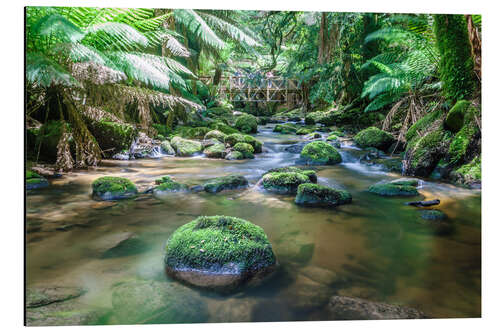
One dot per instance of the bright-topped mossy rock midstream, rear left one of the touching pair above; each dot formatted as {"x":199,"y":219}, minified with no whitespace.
{"x":284,"y":182}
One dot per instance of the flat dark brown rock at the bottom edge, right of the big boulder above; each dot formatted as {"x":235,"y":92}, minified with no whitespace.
{"x":350,"y":308}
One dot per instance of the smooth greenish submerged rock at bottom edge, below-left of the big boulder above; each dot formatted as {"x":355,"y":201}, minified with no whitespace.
{"x":154,"y":302}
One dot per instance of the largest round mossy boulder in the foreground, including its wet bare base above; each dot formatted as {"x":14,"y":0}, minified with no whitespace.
{"x":219,"y":252}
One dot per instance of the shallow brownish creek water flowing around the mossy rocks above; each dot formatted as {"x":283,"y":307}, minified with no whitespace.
{"x":370,"y":245}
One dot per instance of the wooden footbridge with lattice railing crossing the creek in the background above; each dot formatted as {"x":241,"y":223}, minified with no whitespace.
{"x":247,"y":89}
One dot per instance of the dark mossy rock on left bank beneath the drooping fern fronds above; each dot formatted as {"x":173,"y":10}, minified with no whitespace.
{"x":112,"y":136}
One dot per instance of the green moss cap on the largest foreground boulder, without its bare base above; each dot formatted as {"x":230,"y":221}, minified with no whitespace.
{"x":224,"y":240}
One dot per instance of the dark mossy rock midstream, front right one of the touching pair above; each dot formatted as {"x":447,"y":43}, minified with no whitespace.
{"x":314,"y":195}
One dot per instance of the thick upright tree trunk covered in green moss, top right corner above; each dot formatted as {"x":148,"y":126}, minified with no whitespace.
{"x":456,"y":65}
